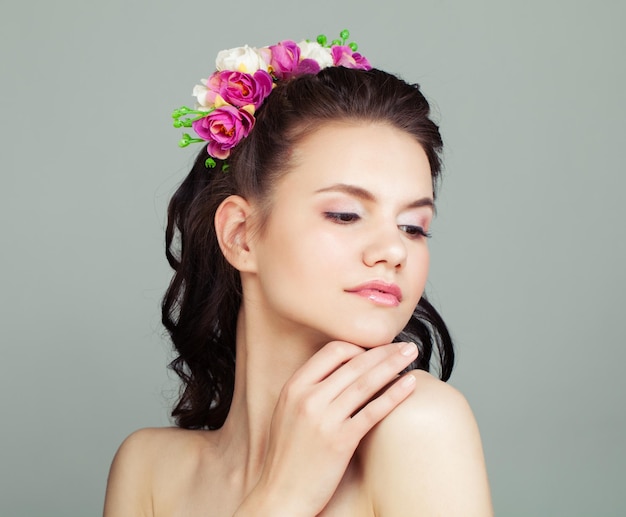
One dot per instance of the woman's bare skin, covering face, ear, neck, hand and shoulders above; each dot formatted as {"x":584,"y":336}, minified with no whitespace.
{"x":319,"y":425}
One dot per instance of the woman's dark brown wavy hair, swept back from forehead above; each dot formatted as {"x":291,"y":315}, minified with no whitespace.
{"x":201,"y":305}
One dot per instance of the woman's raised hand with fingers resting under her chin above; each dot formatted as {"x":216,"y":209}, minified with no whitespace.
{"x":322,"y":414}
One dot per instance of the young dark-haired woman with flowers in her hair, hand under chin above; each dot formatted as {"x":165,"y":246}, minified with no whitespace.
{"x":299,"y":244}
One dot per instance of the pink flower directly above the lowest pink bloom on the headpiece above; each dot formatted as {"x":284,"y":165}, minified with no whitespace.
{"x":238,"y":88}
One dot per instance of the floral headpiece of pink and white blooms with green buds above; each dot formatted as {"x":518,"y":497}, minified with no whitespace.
{"x":244,"y":77}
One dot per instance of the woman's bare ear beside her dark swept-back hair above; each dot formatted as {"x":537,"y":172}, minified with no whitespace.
{"x":233,"y":229}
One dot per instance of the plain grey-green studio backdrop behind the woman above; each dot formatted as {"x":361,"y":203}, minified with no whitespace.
{"x":528,"y":253}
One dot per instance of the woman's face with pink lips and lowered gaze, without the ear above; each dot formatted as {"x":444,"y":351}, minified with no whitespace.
{"x":343,"y":254}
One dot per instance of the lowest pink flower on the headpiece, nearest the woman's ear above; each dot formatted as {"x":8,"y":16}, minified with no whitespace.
{"x":224,"y":128}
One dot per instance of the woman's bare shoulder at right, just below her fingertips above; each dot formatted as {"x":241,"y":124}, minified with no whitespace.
{"x":426,"y":457}
